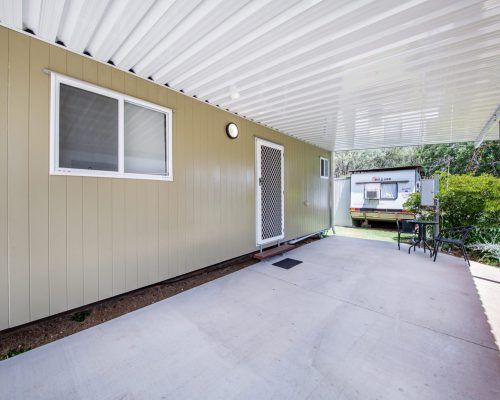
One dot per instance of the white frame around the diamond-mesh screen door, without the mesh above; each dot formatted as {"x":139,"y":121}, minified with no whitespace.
{"x":258,"y":201}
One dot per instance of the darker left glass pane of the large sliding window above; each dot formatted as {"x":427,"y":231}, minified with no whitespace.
{"x":88,"y":130}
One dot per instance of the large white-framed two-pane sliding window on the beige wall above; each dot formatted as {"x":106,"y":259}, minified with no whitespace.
{"x":103,"y":133}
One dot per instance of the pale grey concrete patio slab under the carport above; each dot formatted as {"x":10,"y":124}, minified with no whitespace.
{"x":357,"y":319}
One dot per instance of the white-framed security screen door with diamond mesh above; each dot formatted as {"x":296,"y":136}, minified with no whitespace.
{"x":269,"y":192}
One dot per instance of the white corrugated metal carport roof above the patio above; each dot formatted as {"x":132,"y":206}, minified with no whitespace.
{"x":341,"y":74}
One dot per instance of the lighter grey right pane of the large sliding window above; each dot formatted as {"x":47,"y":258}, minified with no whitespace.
{"x":145,"y":140}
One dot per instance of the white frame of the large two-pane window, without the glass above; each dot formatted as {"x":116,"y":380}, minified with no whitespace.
{"x":56,"y":80}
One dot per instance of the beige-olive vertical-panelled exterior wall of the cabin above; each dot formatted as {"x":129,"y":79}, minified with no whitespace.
{"x":69,"y":241}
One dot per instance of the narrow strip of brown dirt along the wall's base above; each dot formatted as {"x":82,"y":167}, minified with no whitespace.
{"x":26,"y":337}
